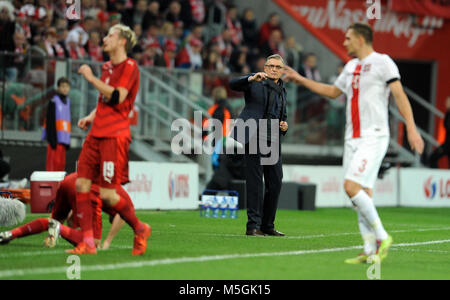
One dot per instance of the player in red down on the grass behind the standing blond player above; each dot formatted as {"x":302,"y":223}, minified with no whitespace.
{"x":64,"y":209}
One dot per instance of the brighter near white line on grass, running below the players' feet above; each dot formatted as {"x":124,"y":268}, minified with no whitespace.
{"x":170,"y":261}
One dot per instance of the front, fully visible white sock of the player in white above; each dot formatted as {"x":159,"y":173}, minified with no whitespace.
{"x":368,"y":211}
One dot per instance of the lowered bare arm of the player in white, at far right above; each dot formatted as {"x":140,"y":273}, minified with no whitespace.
{"x":404,"y":107}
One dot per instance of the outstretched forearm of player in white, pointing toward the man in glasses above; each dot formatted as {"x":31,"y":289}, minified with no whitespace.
{"x":326,"y":90}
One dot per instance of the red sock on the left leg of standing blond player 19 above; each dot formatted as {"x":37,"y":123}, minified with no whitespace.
{"x":84,"y":214}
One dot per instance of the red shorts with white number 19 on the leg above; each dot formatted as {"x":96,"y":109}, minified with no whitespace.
{"x":104,"y":160}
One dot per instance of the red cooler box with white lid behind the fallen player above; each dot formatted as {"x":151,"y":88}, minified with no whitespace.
{"x":44,"y":186}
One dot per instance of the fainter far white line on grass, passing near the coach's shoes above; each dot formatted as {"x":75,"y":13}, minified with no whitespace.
{"x":301,"y":237}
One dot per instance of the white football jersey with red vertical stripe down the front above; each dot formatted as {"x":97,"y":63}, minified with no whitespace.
{"x":365,"y":83}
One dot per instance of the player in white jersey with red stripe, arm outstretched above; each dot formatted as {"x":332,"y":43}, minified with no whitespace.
{"x":367,"y":81}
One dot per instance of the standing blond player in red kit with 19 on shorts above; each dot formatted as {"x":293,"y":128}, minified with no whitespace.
{"x":104,"y":155}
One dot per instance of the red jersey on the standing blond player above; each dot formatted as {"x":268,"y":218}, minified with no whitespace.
{"x":112,"y":120}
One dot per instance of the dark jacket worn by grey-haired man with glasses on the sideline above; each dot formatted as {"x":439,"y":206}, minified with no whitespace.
{"x":256,"y":97}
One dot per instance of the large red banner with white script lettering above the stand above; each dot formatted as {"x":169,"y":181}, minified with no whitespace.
{"x":395,"y":34}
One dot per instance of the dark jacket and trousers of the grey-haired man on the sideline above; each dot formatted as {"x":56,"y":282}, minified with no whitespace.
{"x":263,"y":100}
